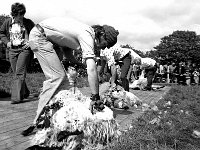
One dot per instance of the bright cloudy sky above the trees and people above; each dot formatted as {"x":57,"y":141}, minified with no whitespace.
{"x":141,"y":23}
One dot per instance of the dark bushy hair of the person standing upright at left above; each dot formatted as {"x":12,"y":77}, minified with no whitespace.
{"x":17,"y":8}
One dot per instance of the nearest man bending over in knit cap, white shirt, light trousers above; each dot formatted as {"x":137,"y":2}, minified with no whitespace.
{"x":71,"y":35}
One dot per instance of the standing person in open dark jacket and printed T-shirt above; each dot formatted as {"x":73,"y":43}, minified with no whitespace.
{"x":15,"y":34}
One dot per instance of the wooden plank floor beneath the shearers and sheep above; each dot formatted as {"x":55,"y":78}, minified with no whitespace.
{"x":16,"y":118}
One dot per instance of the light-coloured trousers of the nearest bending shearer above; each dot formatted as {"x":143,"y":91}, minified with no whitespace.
{"x":52,"y":68}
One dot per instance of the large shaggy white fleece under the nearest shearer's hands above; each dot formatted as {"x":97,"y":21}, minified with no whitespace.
{"x":74,"y":115}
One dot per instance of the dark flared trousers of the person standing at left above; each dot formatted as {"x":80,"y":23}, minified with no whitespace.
{"x":19,"y":60}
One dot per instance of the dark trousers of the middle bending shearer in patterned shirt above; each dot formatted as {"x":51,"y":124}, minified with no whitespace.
{"x":124,"y":71}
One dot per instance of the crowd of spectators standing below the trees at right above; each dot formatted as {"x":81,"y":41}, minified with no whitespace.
{"x":184,"y":73}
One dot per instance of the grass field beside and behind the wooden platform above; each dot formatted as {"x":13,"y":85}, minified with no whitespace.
{"x":169,"y":127}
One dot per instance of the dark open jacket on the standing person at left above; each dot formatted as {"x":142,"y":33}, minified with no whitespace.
{"x":4,"y":30}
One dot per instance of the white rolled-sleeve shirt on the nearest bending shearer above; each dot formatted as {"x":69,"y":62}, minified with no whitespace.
{"x":67,"y":32}
